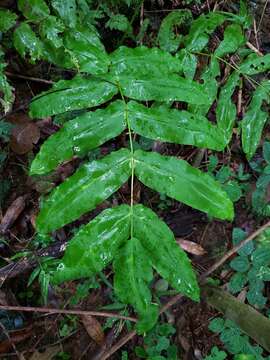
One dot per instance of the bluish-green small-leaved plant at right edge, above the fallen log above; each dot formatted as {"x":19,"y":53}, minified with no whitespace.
{"x":252,"y":266}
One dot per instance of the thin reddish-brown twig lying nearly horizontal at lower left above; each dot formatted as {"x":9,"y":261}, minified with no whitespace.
{"x":64,"y":311}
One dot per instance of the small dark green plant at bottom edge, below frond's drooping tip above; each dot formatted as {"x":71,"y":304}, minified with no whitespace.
{"x":157,"y":345}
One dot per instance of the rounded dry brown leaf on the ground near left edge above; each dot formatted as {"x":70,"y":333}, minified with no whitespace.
{"x":23,"y":136}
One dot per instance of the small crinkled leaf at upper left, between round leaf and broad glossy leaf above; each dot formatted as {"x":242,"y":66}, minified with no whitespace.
{"x":50,"y":28}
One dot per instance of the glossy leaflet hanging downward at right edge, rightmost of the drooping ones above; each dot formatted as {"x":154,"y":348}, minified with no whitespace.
{"x":255,"y":119}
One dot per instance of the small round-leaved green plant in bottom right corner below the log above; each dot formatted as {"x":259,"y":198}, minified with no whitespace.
{"x":235,"y":342}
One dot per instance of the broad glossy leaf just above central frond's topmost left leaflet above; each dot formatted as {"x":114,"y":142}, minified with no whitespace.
{"x":87,"y":51}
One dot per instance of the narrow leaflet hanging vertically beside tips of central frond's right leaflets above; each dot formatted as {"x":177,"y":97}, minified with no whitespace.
{"x":226,"y":109}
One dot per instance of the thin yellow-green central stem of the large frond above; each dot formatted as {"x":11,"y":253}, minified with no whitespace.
{"x":132,"y":161}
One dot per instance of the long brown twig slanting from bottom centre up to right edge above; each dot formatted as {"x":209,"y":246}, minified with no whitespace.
{"x":202,"y":278}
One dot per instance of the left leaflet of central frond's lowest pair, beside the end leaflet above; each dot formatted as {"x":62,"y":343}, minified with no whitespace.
{"x":95,"y":245}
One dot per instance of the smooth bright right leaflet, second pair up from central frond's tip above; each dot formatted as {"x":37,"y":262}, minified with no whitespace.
{"x":179,"y":180}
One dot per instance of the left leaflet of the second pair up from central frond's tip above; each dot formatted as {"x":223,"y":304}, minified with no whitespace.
{"x":91,"y":184}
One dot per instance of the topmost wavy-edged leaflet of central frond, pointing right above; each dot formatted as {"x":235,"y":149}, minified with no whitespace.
{"x":142,"y":61}
